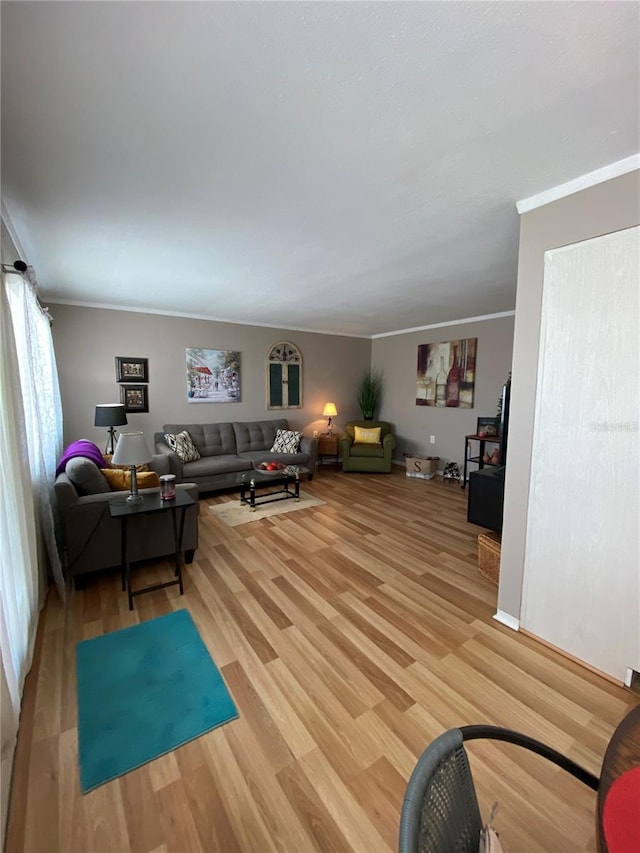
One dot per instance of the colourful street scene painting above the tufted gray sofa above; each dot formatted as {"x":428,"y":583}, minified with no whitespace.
{"x":213,"y":376}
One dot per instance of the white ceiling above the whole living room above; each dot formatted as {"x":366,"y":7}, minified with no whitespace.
{"x":333,"y":166}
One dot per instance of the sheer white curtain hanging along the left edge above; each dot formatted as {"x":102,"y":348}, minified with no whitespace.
{"x":30,"y":444}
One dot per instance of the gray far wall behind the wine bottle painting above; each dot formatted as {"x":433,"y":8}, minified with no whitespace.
{"x":397,"y":357}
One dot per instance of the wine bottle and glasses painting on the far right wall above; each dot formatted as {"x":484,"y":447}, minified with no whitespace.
{"x":446,"y":374}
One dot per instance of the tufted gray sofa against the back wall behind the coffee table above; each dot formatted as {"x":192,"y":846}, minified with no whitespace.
{"x":227,"y":449}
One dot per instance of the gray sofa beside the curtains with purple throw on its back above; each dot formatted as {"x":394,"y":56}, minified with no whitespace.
{"x":92,"y":539}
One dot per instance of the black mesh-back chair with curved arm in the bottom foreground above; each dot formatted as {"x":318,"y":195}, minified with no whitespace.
{"x":440,"y":812}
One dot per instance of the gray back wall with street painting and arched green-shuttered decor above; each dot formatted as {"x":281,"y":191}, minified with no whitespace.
{"x":87,"y":340}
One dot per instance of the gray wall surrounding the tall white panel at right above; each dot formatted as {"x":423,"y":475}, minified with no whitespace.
{"x":607,"y":207}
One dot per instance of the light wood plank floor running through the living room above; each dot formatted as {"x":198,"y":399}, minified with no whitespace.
{"x":350,"y":635}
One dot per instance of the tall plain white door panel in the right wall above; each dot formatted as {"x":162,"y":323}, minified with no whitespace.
{"x":582,"y":564}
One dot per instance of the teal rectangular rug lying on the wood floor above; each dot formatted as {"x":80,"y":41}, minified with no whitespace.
{"x":142,"y":692}
